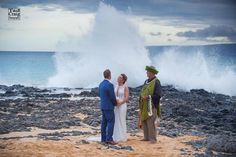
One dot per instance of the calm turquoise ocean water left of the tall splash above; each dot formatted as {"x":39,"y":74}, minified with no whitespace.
{"x":27,"y":68}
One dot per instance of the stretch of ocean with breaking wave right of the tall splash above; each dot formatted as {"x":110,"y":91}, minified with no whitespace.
{"x":211,"y":67}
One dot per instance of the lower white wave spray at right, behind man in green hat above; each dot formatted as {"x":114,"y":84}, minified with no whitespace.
{"x":196,"y":69}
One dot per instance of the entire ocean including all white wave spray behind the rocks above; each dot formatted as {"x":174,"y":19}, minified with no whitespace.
{"x":115,"y":43}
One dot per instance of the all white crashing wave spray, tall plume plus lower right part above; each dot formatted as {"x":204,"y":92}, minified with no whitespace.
{"x":114,"y":43}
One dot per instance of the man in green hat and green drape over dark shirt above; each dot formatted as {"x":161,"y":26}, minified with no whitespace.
{"x":149,"y":105}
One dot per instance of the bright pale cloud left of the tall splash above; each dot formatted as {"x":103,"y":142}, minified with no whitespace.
{"x":39,"y":29}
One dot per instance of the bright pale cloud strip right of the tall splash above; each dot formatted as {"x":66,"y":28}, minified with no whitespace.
{"x":167,"y":30}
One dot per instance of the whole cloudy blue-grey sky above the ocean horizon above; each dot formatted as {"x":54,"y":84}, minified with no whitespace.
{"x":43,"y":24}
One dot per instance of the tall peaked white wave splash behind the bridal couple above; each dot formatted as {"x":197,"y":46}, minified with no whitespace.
{"x":113,"y":43}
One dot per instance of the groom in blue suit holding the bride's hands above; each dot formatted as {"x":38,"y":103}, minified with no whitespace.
{"x":108,"y":101}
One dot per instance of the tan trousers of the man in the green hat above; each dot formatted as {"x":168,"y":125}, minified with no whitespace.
{"x":149,"y":127}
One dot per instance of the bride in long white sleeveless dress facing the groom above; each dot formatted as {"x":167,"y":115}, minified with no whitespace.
{"x":122,"y":96}
